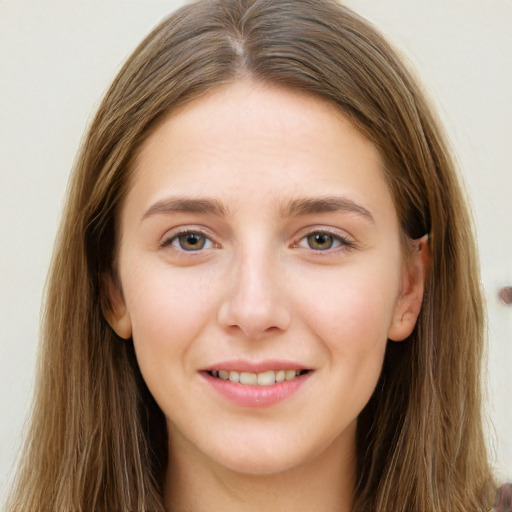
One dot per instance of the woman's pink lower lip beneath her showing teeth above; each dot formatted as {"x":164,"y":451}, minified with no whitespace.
{"x":244,"y":395}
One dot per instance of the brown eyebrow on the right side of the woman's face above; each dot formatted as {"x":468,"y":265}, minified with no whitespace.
{"x":327,"y":204}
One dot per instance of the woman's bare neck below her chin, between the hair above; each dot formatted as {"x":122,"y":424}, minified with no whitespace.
{"x":326,"y":482}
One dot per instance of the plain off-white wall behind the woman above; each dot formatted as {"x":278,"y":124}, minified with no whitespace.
{"x":58,"y":57}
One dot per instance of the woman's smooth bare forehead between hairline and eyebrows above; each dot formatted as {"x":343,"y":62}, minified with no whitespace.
{"x":248,"y":142}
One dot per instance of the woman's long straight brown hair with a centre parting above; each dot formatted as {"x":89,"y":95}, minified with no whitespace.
{"x":97,"y":439}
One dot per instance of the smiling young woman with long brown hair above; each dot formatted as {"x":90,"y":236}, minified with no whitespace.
{"x":265,"y":288}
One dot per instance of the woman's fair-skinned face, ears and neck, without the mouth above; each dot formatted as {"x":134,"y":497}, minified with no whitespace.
{"x":262,"y":288}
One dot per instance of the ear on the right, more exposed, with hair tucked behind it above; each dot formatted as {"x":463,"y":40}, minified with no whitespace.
{"x":408,"y":304}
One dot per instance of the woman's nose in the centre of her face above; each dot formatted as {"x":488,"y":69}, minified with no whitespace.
{"x":255,"y":302}
